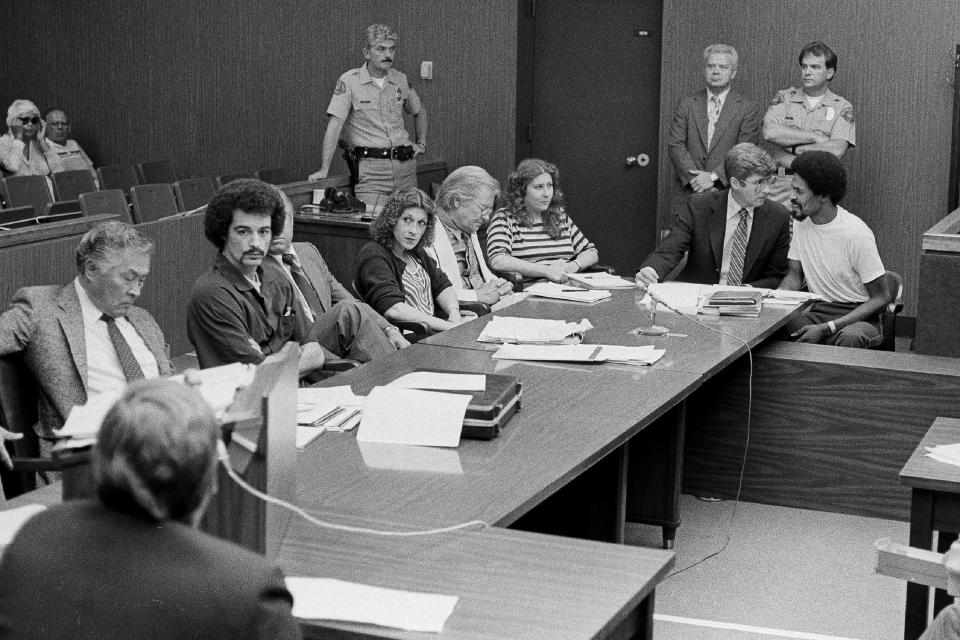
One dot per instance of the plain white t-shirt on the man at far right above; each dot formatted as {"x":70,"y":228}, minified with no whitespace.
{"x":837,"y":257}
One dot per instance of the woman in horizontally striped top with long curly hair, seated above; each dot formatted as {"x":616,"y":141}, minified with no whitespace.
{"x":533,"y":234}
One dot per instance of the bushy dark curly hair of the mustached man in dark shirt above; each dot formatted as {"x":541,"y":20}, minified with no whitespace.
{"x":247,"y":195}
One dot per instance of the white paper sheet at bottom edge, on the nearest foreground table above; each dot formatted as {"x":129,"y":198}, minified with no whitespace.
{"x":330,"y":599}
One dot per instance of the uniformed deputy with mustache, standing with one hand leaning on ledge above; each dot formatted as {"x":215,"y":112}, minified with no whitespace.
{"x":368,"y":105}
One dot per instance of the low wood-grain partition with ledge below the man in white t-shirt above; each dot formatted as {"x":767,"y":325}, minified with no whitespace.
{"x":830,"y":430}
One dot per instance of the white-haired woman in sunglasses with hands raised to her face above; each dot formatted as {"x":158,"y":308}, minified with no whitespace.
{"x":23,"y":150}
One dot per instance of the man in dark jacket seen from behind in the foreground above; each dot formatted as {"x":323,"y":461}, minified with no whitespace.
{"x":132,"y":563}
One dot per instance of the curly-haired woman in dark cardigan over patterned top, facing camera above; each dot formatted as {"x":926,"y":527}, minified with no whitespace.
{"x":394,"y":274}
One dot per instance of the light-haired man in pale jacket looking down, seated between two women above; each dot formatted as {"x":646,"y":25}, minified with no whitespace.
{"x":464,"y":203}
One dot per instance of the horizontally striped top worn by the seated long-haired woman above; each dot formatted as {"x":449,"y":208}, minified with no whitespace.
{"x":506,"y":235}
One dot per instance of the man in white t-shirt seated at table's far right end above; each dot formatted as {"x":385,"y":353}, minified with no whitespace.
{"x":836,"y":253}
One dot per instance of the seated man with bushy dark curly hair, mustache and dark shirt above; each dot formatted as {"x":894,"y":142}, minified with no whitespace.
{"x":240,"y":312}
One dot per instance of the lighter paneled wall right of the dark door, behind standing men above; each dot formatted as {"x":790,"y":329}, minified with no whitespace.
{"x":895,"y":66}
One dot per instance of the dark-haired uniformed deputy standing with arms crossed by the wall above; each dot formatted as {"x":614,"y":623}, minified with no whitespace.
{"x":807,"y":118}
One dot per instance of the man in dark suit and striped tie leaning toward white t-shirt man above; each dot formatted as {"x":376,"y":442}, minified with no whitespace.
{"x":731,"y":237}
